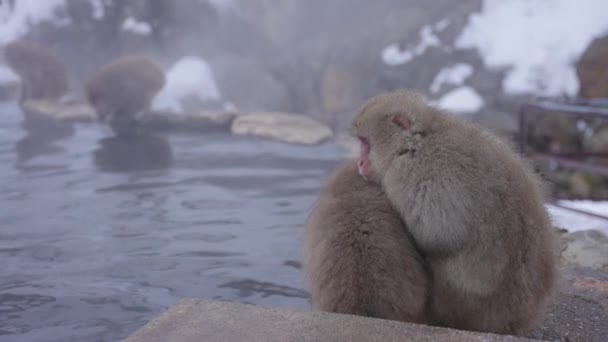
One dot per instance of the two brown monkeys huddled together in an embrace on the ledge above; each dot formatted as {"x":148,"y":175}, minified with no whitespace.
{"x":439,"y":222}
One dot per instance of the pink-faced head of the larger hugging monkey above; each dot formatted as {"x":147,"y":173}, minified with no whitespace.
{"x":390,"y":126}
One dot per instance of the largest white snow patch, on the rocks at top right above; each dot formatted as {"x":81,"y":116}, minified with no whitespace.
{"x":538,"y":40}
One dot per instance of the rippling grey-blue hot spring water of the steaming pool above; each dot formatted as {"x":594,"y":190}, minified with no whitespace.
{"x":98,"y":235}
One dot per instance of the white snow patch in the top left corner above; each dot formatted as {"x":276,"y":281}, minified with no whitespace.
{"x":16,"y":23}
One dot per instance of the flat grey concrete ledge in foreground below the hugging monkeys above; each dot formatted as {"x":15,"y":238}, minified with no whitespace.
{"x":194,"y":320}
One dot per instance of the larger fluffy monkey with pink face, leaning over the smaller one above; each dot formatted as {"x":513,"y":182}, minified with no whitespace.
{"x":474,"y":208}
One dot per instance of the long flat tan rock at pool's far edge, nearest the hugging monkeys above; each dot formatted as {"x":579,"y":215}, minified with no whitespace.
{"x":289,"y":128}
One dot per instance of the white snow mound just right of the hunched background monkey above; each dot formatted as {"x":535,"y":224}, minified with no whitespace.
{"x":190,"y":76}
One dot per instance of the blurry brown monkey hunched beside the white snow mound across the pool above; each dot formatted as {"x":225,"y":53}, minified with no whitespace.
{"x":124,"y":89}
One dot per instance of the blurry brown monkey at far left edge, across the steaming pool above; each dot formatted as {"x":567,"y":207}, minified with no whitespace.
{"x":43,"y":75}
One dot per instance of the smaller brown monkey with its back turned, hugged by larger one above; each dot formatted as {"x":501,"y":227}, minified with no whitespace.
{"x":358,"y":256}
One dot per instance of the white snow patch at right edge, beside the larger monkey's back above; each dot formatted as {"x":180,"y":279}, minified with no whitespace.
{"x":573,"y":221}
